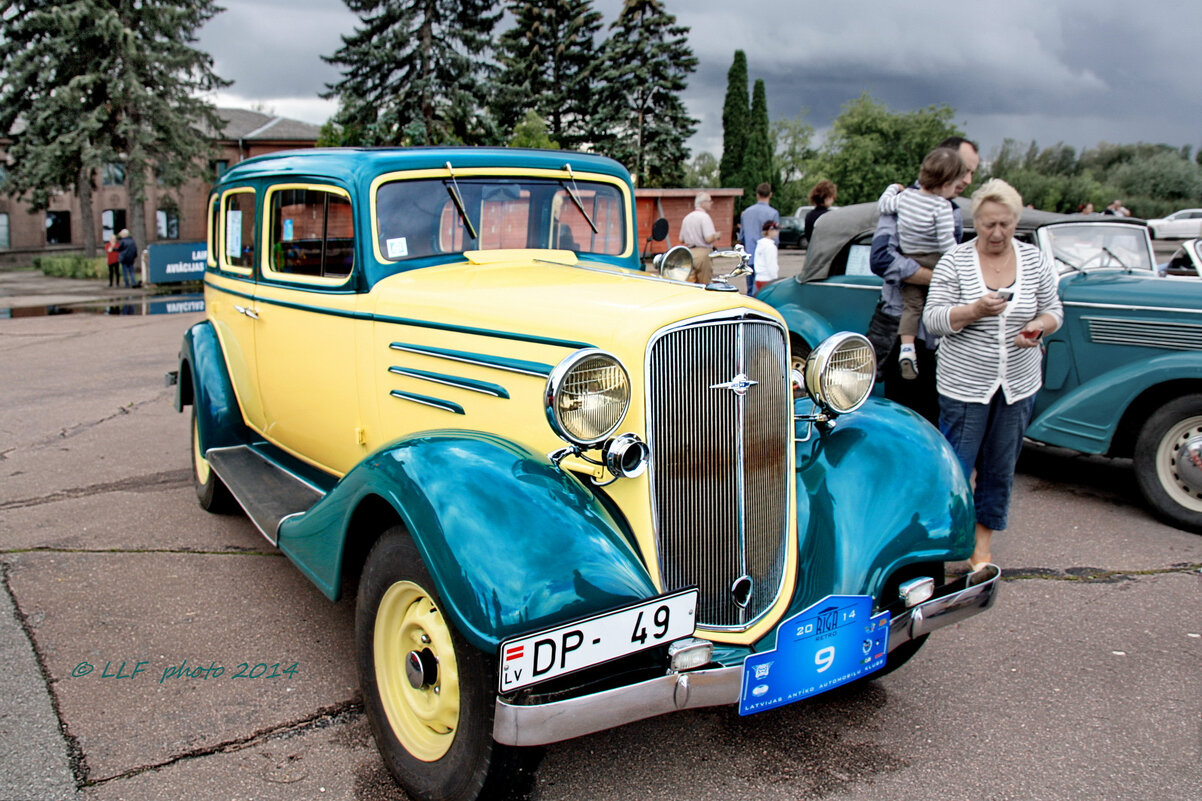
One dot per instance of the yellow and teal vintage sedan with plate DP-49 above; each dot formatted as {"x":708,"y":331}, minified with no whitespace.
{"x":572,"y":495}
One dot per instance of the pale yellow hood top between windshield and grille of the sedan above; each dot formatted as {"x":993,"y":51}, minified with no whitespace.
{"x":533,"y":294}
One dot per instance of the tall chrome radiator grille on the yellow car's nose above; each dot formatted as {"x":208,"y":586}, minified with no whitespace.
{"x":719,"y":462}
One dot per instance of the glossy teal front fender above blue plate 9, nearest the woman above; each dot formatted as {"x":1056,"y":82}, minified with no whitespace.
{"x":878,"y":493}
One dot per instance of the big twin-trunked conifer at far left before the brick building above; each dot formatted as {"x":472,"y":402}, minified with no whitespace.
{"x":92,"y":81}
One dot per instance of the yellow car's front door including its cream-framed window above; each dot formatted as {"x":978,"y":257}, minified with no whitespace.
{"x":306,"y":335}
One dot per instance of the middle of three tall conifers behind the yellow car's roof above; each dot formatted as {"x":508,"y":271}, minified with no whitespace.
{"x":548,"y":60}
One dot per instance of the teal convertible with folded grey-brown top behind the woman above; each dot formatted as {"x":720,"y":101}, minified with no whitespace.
{"x":1122,"y":378}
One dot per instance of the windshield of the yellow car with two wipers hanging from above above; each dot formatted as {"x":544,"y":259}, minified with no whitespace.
{"x":444,"y":216}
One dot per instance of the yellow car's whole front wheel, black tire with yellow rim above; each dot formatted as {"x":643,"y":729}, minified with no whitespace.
{"x":437,"y":738}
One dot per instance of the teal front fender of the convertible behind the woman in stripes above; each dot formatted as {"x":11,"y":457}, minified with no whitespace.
{"x":1087,"y":418}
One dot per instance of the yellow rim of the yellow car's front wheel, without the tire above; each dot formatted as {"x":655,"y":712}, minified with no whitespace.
{"x":425,"y":719}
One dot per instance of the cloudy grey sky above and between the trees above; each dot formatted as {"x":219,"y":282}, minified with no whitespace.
{"x":1073,"y":72}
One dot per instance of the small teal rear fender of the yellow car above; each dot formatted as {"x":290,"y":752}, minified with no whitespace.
{"x":205,"y":383}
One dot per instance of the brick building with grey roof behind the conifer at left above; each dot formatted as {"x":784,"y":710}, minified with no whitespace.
{"x":171,"y":215}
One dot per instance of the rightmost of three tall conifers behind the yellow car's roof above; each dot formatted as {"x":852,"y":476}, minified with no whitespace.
{"x":641,"y":120}
